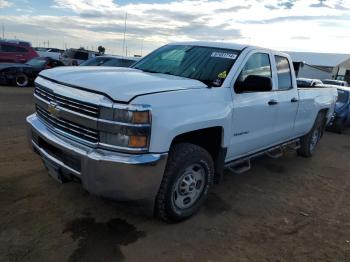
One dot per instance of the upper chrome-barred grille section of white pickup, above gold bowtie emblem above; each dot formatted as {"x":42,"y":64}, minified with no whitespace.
{"x":66,"y":102}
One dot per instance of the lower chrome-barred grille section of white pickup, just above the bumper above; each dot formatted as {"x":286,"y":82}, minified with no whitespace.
{"x":69,"y":127}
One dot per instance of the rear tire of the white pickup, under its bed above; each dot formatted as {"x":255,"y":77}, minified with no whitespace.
{"x":308,"y":142}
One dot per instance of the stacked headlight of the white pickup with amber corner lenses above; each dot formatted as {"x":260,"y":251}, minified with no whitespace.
{"x":130,"y":128}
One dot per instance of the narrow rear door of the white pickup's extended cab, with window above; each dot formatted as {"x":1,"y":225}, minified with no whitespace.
{"x":287,"y":98}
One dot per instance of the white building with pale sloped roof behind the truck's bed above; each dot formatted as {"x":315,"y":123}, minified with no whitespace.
{"x":316,"y":65}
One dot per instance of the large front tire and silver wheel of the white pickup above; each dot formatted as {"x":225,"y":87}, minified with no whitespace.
{"x":186,"y":182}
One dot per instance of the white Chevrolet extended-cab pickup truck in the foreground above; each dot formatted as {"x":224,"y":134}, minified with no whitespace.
{"x":160,"y":134}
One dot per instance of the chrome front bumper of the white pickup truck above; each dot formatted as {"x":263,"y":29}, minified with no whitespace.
{"x":124,"y":177}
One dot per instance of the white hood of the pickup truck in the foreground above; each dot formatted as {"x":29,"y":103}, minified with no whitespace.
{"x":120,"y":84}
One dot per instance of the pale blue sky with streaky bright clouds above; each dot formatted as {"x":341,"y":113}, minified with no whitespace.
{"x":288,"y":25}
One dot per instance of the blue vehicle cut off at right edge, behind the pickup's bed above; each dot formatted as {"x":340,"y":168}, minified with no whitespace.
{"x":341,"y":117}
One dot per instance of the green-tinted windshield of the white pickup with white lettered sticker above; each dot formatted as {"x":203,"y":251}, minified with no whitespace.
{"x":209,"y":65}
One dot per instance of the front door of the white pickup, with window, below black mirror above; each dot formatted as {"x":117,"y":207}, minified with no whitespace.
{"x":254,"y":112}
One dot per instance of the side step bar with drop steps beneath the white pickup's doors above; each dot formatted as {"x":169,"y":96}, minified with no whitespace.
{"x":242,"y":165}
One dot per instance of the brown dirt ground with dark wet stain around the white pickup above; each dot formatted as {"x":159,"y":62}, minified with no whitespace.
{"x":290,"y":209}
